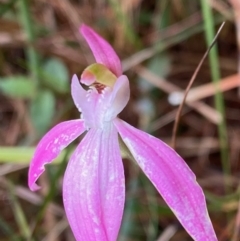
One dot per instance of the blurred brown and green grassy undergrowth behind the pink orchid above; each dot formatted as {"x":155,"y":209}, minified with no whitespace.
{"x":160,"y":44}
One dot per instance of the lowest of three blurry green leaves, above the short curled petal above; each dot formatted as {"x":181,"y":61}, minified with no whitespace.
{"x":42,"y":111}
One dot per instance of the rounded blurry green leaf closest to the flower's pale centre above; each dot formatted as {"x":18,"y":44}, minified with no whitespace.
{"x":55,"y":75}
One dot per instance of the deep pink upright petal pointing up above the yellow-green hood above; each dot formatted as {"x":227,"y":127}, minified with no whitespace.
{"x":102,"y":50}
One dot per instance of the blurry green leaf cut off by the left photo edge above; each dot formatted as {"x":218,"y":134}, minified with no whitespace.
{"x":18,"y":87}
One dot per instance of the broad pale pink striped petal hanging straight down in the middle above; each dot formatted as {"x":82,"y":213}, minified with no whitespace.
{"x":94,"y":188}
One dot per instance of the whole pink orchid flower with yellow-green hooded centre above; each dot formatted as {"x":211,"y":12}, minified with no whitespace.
{"x":94,"y":184}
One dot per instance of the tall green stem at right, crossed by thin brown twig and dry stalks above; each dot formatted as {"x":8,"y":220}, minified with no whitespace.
{"x":215,"y":75}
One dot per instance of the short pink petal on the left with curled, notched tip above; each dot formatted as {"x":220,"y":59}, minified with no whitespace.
{"x":50,"y":146}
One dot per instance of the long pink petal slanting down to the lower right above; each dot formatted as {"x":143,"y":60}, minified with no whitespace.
{"x":173,"y":179}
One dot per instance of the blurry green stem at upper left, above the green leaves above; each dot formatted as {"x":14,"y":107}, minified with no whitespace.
{"x":31,"y":53}
